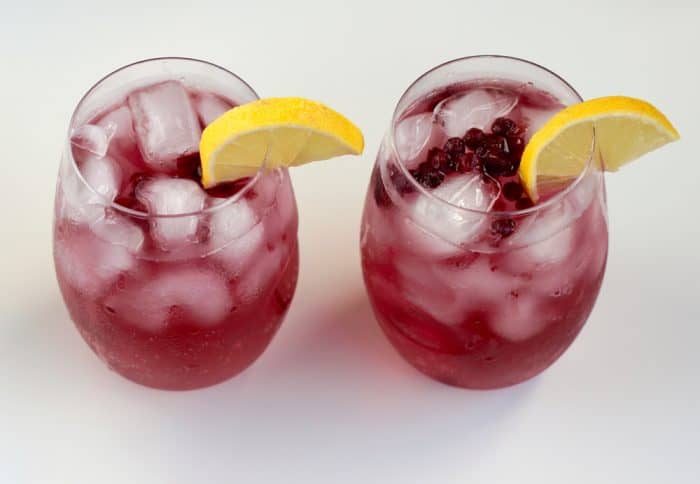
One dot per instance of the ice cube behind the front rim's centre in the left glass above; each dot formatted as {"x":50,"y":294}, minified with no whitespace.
{"x":172,"y":196}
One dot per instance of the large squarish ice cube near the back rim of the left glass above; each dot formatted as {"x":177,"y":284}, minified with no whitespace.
{"x":165,"y":122}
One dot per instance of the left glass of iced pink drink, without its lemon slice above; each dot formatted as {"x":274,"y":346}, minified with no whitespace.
{"x":172,"y":285}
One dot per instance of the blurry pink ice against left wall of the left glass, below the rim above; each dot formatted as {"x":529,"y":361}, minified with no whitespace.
{"x":90,"y":264}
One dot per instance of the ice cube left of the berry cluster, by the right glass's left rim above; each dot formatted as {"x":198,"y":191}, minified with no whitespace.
{"x":415,"y":135}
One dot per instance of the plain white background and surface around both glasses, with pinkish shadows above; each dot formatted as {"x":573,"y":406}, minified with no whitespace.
{"x":330,"y":400}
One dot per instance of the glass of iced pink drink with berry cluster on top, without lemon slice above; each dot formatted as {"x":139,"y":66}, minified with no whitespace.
{"x":474,"y":284}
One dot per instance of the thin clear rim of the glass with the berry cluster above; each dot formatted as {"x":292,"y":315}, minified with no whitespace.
{"x":422,"y":191}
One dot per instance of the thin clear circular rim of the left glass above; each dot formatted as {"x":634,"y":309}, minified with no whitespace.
{"x":112,"y":204}
